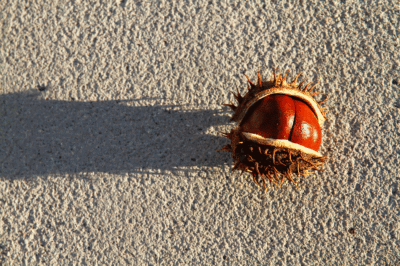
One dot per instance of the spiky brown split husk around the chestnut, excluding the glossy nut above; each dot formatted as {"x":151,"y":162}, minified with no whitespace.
{"x":268,"y":162}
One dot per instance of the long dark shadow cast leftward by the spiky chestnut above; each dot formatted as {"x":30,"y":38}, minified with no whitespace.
{"x":39,"y":136}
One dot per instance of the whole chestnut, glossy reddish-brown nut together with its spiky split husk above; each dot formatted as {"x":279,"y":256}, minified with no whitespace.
{"x":278,"y":130}
